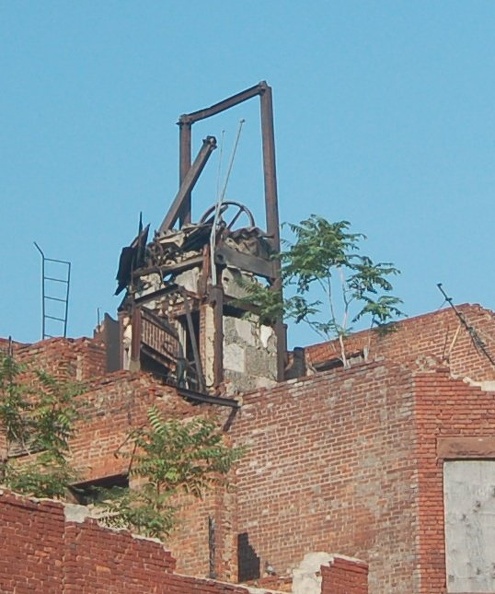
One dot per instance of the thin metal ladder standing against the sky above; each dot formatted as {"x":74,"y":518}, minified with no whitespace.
{"x":55,"y":284}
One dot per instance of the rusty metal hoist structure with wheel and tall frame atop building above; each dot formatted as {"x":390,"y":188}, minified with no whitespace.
{"x":180,"y":315}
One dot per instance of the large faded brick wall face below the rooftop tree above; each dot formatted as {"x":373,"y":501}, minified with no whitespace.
{"x":331,"y":466}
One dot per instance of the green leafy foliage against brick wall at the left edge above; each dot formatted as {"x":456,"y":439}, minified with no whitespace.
{"x":37,"y":413}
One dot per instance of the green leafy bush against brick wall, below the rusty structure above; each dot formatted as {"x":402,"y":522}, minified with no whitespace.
{"x":170,"y":457}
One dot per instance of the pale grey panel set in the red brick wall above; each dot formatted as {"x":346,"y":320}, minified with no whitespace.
{"x":469,"y":495}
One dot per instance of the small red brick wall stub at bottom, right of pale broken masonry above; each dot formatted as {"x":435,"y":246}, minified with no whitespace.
{"x":345,"y":576}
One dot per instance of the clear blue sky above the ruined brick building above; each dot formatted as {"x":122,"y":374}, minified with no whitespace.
{"x":384,"y":115}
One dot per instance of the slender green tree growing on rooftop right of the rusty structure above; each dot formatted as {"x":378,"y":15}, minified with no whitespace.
{"x":328,"y":283}
